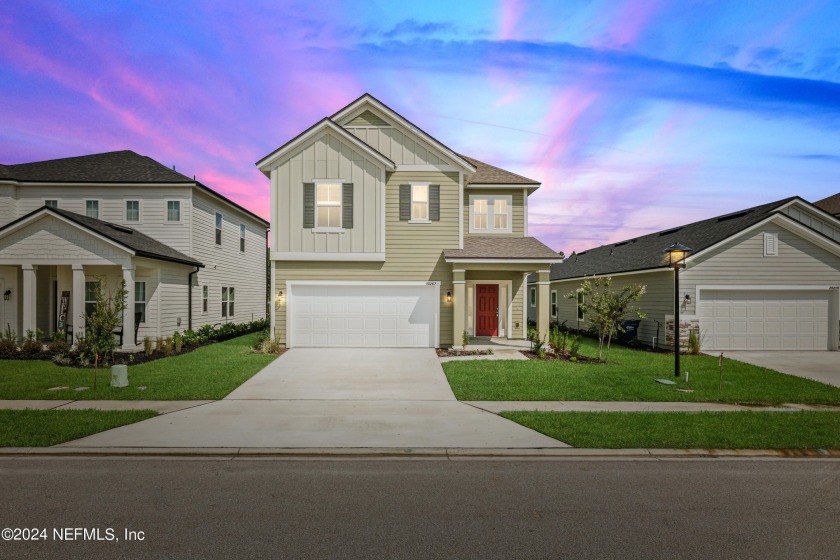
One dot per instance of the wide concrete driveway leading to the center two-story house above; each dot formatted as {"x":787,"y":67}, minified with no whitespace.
{"x":333,"y":398}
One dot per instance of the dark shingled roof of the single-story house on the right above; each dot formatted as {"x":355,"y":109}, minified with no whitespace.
{"x":646,"y":252}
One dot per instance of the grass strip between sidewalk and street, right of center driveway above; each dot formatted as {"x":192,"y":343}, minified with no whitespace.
{"x":687,"y":430}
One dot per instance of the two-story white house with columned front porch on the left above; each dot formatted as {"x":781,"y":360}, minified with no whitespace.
{"x":189,"y":256}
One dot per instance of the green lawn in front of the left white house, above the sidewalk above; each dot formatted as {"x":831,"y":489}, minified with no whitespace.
{"x":210,"y":373}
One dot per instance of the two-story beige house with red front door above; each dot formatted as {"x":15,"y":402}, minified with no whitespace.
{"x":383,"y":236}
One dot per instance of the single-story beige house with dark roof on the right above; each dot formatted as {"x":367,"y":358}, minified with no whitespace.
{"x":765,"y":278}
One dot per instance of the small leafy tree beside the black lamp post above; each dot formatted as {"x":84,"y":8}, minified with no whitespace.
{"x":607,"y":309}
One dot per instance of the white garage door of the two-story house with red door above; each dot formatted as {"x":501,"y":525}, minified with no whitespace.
{"x":381,"y":315}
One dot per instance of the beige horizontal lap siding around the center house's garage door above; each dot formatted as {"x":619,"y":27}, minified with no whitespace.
{"x":413,"y":252}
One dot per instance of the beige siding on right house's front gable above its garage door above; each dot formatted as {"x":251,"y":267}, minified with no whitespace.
{"x":742,"y":263}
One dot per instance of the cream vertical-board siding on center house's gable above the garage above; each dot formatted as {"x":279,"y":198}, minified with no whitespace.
{"x":327,"y":158}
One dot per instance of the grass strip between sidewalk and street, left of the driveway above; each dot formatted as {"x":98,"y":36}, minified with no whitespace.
{"x":42,"y":428}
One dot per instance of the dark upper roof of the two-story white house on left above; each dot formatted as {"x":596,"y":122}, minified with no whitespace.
{"x":123,"y":167}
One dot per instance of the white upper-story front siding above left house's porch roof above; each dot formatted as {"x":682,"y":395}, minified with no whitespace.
{"x":112,"y":207}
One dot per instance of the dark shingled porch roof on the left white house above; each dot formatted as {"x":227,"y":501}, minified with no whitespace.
{"x":139,"y":243}
